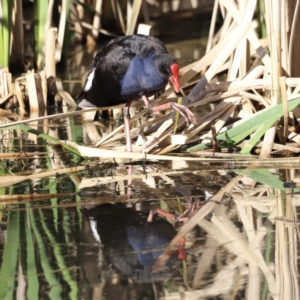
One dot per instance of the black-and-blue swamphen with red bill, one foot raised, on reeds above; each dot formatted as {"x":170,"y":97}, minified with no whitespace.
{"x":129,"y":68}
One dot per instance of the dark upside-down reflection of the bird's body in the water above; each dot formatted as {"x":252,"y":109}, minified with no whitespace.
{"x":131,"y":244}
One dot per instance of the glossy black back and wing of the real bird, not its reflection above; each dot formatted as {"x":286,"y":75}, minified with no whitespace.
{"x":111,"y":63}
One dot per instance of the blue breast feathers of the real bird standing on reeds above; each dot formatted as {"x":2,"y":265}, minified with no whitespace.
{"x":141,"y":77}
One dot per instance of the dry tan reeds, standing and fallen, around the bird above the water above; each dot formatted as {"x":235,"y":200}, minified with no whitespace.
{"x":259,"y":98}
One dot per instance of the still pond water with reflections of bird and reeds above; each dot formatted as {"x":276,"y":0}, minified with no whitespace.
{"x":86,"y":234}
